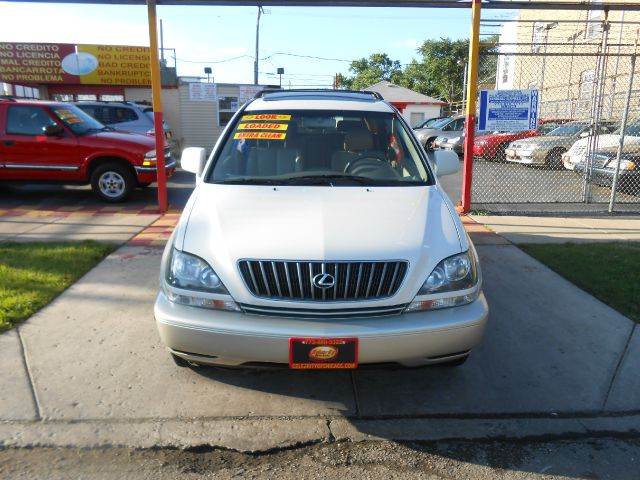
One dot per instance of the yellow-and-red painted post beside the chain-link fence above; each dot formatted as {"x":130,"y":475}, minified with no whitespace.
{"x":470,"y":122}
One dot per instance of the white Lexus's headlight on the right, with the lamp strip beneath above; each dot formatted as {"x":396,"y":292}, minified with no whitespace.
{"x":454,"y":274}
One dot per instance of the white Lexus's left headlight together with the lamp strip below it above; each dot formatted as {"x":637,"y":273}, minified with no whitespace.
{"x":188,"y":272}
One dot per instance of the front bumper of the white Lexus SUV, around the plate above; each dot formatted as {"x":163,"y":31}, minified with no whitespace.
{"x":219,"y":337}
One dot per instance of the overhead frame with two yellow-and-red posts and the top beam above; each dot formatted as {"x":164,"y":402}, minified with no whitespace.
{"x":473,"y":5}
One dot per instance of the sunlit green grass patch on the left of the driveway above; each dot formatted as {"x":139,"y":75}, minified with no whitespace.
{"x":33,"y":274}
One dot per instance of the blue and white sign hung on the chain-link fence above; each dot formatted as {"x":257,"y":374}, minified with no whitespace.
{"x":508,"y":110}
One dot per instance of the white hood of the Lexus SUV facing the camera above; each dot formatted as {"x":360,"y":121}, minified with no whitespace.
{"x":228,"y":223}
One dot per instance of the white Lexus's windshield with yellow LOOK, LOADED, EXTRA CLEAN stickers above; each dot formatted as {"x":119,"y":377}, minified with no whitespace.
{"x":337,"y":148}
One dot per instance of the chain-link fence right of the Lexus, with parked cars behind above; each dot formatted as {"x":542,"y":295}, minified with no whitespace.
{"x":585,"y":154}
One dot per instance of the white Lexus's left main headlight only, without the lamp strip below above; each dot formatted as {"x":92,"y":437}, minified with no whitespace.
{"x":192,"y":273}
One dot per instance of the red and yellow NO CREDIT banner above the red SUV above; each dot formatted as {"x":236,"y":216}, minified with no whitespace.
{"x":74,"y":64}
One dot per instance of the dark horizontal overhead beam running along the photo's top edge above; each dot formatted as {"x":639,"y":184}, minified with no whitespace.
{"x":486,"y":4}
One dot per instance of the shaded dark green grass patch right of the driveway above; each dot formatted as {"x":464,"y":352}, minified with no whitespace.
{"x":608,"y":271}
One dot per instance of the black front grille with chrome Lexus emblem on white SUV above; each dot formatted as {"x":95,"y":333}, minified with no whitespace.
{"x":294,"y":280}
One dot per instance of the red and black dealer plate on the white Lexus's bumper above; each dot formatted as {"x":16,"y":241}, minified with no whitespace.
{"x":323,"y":353}
